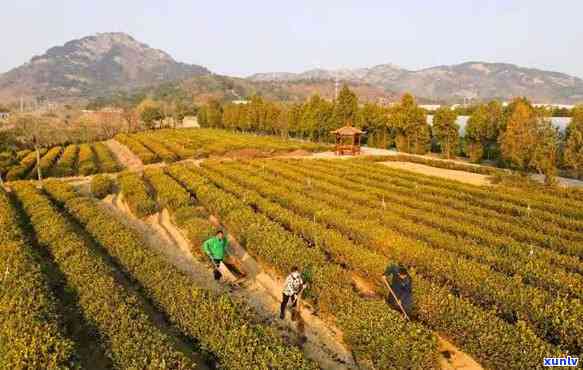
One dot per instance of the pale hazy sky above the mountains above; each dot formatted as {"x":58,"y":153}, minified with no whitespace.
{"x":244,"y":37}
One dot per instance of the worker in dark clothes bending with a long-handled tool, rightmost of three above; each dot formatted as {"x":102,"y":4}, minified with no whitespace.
{"x":402,"y":286}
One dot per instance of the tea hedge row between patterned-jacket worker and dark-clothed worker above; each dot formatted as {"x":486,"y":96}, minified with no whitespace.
{"x":398,"y":344}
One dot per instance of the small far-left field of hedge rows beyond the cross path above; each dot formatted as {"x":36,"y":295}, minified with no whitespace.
{"x":71,"y":160}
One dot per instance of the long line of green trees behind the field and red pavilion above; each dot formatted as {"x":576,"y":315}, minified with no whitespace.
{"x":517,"y":136}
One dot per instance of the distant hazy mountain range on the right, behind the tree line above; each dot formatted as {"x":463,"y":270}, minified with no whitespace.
{"x":478,"y":80}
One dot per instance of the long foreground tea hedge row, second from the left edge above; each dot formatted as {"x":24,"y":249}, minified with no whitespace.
{"x":131,"y":338}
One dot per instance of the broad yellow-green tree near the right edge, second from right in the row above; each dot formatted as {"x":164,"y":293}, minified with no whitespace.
{"x":530,"y":142}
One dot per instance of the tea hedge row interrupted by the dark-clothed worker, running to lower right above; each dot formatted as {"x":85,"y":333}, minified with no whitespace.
{"x":508,"y":342}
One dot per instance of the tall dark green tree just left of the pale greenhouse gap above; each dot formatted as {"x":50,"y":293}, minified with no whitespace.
{"x":409,"y":122}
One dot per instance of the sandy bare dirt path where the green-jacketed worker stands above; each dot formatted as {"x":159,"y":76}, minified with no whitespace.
{"x":259,"y":290}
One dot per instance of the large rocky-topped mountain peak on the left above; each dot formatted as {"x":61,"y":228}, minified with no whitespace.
{"x":93,"y":66}
